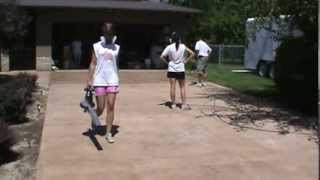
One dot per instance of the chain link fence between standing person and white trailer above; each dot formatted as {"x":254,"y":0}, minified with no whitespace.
{"x":227,"y":54}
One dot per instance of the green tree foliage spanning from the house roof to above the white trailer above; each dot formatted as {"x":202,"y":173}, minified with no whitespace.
{"x":223,"y":21}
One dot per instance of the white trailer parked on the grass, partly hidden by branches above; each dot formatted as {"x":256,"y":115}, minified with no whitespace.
{"x":263,"y":42}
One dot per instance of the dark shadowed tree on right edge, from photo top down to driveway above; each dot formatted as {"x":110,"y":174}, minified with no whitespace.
{"x":296,"y":60}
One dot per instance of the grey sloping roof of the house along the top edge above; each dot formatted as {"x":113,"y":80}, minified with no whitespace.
{"x":107,"y":4}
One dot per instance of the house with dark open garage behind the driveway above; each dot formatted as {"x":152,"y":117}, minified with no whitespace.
{"x":140,"y":26}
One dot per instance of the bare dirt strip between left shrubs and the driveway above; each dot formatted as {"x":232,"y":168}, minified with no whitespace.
{"x":27,"y":137}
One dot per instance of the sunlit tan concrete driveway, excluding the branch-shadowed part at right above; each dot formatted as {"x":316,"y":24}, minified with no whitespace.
{"x":154,"y":142}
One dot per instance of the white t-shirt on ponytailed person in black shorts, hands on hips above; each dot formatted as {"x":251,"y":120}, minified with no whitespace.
{"x":176,"y":57}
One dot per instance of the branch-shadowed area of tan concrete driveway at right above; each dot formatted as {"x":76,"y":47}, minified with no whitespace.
{"x":257,"y":113}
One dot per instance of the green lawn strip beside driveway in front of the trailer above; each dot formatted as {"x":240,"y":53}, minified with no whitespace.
{"x":248,"y":83}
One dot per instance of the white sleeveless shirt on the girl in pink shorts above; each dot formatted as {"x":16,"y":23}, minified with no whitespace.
{"x":106,"y":72}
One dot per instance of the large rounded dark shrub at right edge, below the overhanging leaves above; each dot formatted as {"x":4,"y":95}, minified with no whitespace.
{"x":296,"y":73}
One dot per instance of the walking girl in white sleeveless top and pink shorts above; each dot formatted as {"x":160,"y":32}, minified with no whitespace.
{"x":103,"y":75}
